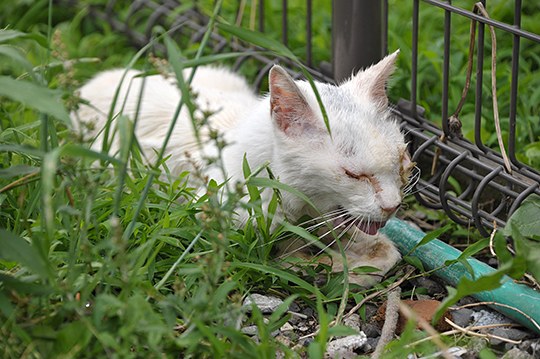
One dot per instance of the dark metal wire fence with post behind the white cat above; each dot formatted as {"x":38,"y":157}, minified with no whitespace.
{"x":489,"y":191}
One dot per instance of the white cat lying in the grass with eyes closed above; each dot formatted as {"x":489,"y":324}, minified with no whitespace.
{"x":355,"y":176}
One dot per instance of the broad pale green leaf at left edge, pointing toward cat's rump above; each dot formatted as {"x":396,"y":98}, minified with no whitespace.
{"x":34,"y":96}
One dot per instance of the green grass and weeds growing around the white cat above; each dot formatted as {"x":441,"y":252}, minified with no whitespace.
{"x":102,"y":256}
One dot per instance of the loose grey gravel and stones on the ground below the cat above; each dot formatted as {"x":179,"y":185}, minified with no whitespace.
{"x":300,"y":329}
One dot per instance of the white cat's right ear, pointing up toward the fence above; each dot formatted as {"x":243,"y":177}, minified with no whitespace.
{"x":373,"y":80}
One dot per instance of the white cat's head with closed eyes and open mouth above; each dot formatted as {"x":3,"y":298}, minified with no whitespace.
{"x":357,"y":174}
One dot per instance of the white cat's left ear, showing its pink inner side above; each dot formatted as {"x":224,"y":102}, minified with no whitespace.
{"x":288,"y":106}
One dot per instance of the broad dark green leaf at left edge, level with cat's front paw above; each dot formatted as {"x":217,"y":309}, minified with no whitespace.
{"x":15,"y":248}
